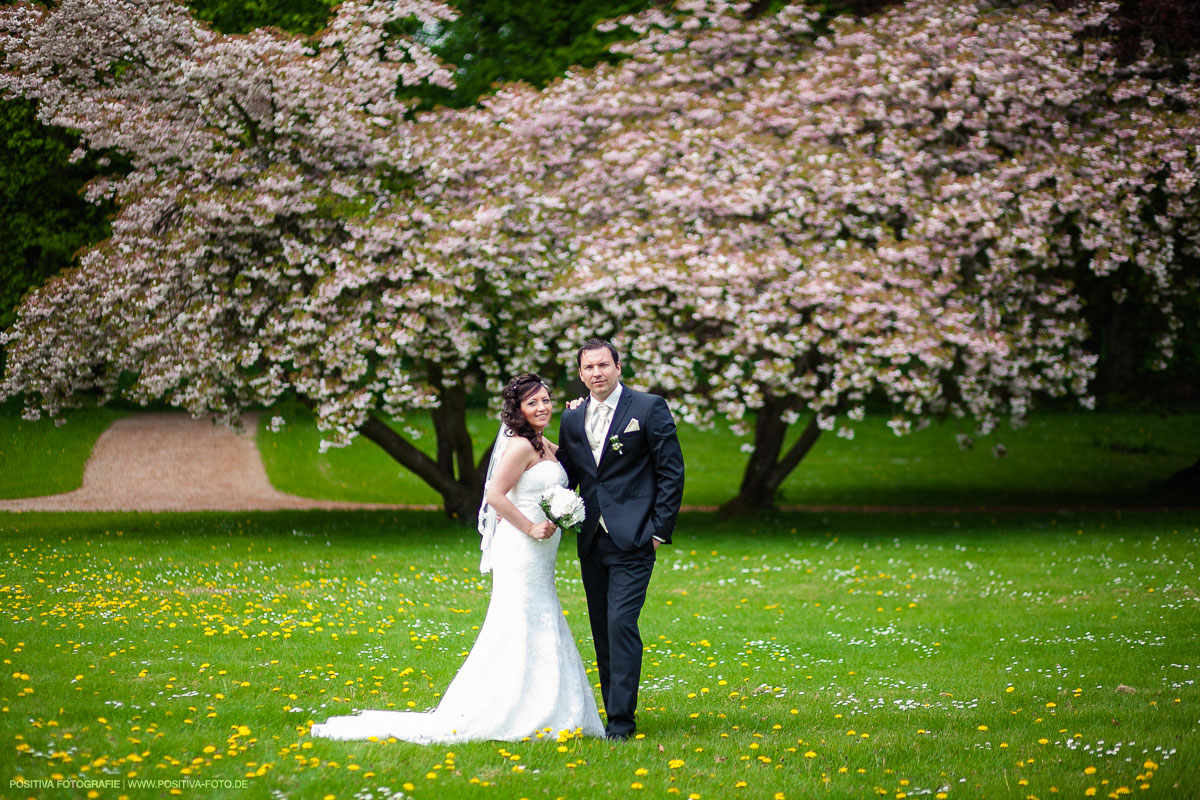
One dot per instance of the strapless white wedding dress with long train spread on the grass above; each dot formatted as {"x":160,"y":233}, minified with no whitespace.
{"x":524,"y":676}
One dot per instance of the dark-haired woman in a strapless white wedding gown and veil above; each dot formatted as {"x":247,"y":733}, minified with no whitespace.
{"x":524,"y":676}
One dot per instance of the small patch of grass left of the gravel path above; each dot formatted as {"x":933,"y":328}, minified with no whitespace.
{"x":40,"y":459}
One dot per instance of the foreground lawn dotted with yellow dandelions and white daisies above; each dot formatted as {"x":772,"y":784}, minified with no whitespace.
{"x":795,"y":655}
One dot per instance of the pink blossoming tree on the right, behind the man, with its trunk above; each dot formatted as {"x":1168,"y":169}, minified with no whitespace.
{"x":781,"y":224}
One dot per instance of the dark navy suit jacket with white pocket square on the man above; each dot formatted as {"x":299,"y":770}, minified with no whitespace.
{"x":638,"y":488}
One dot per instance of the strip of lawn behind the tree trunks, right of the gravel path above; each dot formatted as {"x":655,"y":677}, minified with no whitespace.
{"x":1063,"y":460}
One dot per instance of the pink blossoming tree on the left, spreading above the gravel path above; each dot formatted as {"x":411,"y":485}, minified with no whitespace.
{"x":280,"y":230}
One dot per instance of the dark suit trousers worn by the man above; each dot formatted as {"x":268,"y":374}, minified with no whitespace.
{"x":615,"y":582}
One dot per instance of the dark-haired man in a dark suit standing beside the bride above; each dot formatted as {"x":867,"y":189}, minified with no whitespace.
{"x":620,"y":448}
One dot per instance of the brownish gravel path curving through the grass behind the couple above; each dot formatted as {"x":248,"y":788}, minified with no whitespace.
{"x":171,"y":462}
